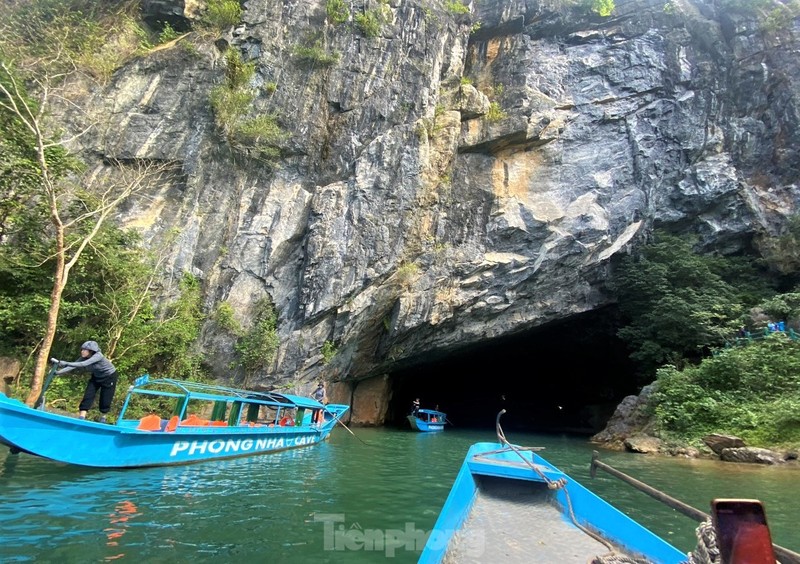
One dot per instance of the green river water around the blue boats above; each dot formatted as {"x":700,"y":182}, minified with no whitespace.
{"x":335,"y":502}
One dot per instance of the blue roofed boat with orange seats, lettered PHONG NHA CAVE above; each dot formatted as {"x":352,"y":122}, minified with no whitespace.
{"x":204,"y":422}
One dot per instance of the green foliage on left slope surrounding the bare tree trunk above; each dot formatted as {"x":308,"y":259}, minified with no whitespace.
{"x":110,"y":295}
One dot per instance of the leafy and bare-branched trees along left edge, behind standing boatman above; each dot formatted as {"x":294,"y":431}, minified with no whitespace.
{"x":56,"y":217}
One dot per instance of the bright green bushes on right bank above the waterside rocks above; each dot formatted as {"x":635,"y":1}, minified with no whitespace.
{"x":752,"y":392}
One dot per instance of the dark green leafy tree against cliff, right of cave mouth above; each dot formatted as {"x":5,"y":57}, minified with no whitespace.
{"x":678,"y":302}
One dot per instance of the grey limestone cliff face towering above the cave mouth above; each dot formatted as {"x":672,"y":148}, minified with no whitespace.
{"x":444,"y":183}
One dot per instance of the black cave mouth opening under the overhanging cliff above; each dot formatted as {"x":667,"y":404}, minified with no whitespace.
{"x":565,"y":377}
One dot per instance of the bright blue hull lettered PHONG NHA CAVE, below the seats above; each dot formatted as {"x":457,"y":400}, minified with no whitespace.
{"x":86,"y":443}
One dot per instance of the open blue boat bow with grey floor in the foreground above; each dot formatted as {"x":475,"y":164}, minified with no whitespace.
{"x":490,"y":468}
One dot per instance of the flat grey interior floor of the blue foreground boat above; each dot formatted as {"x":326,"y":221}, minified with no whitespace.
{"x":514,"y":521}
